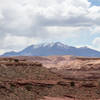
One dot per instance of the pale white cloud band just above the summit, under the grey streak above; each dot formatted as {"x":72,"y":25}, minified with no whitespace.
{"x":60,"y":33}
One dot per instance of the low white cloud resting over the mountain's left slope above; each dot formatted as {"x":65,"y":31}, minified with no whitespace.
{"x":17,"y":42}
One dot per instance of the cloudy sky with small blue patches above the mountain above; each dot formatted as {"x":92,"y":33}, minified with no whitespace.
{"x":27,"y":22}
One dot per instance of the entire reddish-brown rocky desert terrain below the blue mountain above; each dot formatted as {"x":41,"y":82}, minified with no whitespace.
{"x":49,"y":78}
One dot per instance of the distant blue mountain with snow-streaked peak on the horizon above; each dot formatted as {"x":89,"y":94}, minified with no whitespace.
{"x":54,"y":49}
